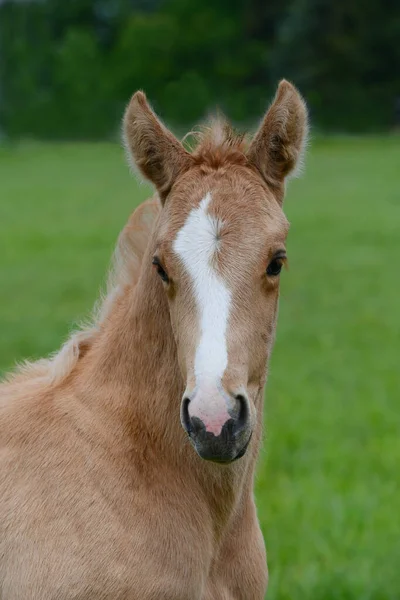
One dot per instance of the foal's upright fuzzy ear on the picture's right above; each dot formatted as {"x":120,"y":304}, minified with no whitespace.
{"x":278,"y":145}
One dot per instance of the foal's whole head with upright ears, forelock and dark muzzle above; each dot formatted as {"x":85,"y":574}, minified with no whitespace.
{"x":219,"y":248}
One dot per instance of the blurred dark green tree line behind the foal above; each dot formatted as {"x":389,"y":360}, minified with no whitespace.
{"x":68,"y":67}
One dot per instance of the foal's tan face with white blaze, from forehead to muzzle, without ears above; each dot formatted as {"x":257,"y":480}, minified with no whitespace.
{"x":219,"y":252}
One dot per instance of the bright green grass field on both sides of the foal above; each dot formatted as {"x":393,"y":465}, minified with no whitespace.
{"x":328,"y":487}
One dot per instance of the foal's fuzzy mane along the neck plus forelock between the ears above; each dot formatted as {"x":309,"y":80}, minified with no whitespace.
{"x":214,"y":147}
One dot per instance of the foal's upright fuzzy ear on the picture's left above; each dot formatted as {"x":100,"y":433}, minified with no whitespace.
{"x":159,"y":156}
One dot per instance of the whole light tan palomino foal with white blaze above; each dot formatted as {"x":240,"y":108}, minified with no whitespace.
{"x":127,"y":460}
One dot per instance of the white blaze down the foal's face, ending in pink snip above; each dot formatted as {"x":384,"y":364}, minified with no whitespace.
{"x":196,"y":244}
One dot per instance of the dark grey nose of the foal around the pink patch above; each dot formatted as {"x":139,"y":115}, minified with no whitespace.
{"x":233,"y":439}
